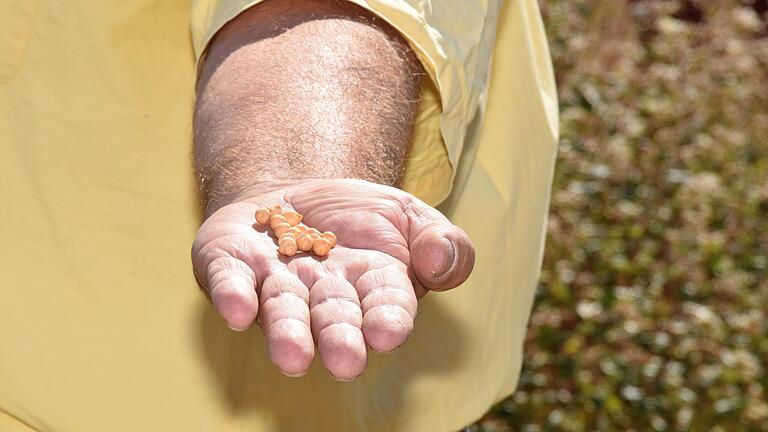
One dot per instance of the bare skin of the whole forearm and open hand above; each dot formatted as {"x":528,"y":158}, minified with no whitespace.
{"x":310,"y":105}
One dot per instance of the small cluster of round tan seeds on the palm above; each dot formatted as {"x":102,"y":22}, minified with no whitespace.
{"x":292,"y":235}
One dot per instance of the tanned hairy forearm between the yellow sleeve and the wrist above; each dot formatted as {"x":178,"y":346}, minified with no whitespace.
{"x":303,"y":89}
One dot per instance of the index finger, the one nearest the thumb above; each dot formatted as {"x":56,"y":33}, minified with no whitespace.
{"x":389,"y":307}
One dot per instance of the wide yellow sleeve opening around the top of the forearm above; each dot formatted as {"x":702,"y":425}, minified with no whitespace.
{"x":454,"y":42}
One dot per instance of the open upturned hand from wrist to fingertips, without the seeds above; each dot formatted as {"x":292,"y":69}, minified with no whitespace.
{"x":392,"y":248}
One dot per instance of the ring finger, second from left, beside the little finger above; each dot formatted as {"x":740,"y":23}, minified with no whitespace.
{"x":285,"y":320}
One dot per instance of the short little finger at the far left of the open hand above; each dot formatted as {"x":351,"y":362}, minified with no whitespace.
{"x":231,"y":285}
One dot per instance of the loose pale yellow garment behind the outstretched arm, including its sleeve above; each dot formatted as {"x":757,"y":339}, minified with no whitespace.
{"x":102,"y":327}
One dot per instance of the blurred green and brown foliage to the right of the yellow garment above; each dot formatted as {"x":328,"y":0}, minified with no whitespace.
{"x":651,"y":311}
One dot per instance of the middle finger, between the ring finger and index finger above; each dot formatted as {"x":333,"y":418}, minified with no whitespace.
{"x":336,"y":320}
